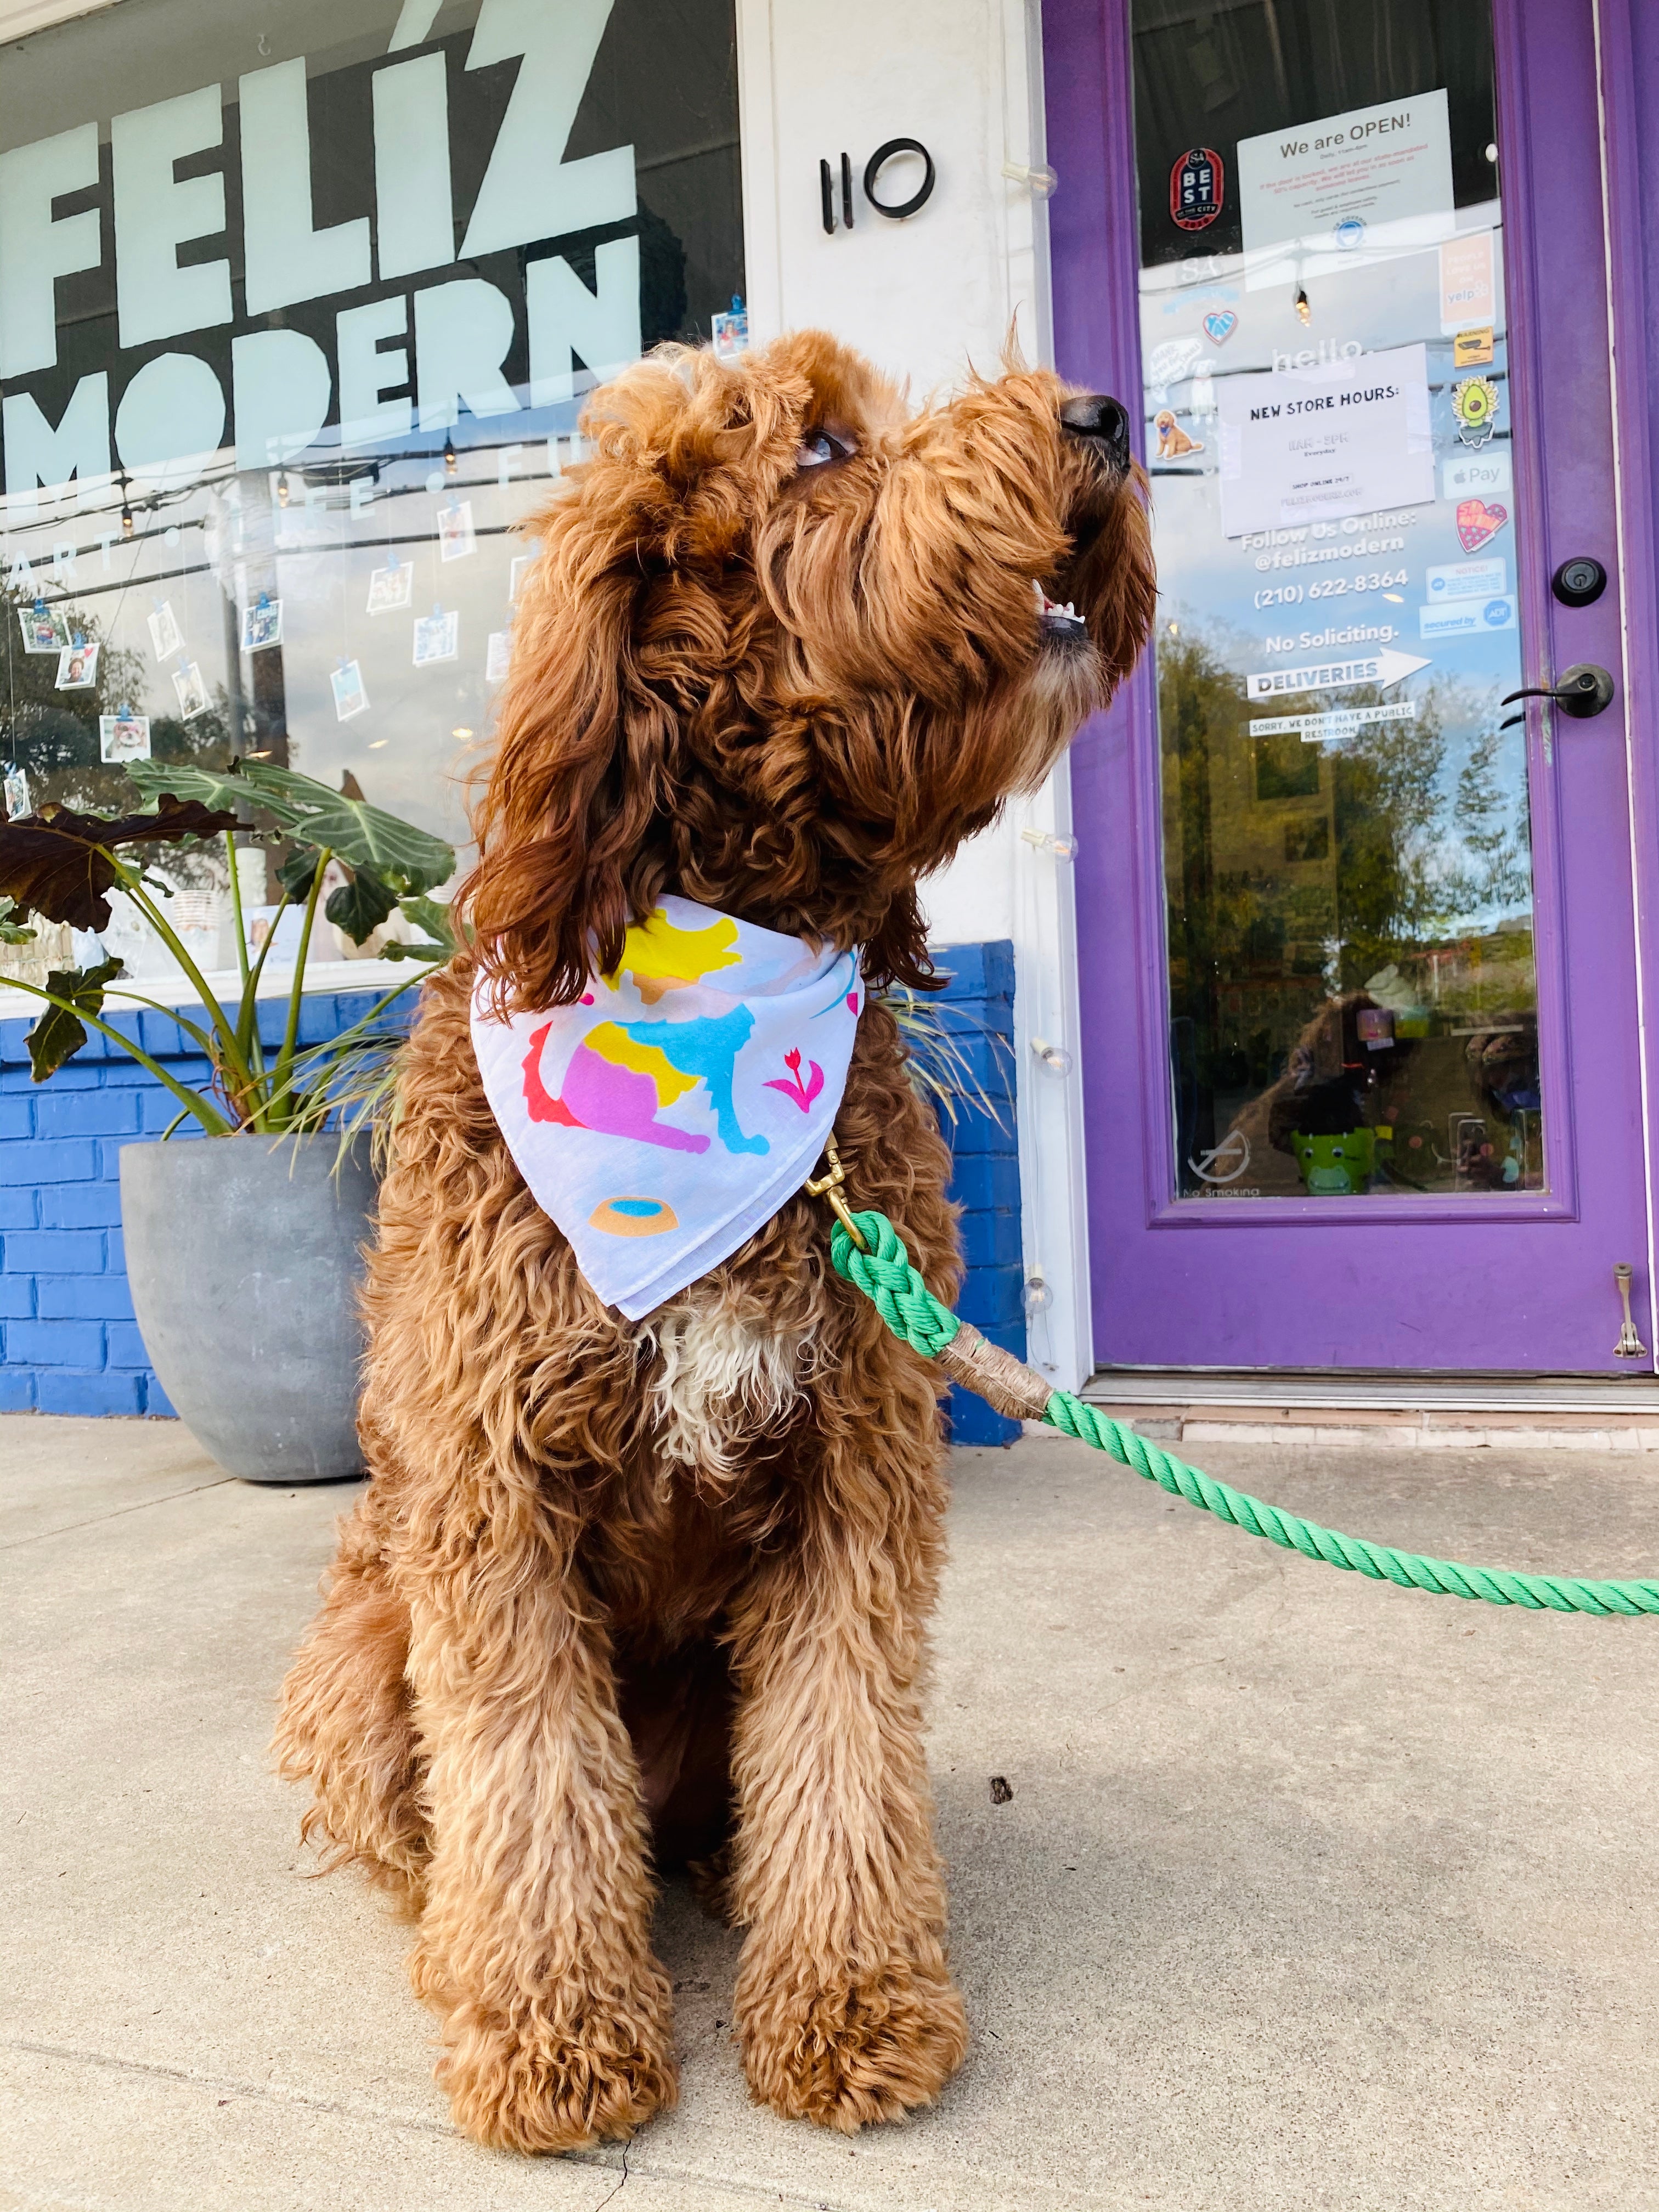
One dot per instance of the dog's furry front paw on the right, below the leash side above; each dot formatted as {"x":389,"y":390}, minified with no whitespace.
{"x":870,"y":2047}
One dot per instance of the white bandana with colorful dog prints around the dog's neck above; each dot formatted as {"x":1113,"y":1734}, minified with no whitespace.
{"x":669,"y":1116}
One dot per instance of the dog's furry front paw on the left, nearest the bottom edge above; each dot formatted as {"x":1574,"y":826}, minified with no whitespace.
{"x":545,"y":2083}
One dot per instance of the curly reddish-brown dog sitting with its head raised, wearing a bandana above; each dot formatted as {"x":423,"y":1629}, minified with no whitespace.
{"x":784,"y":649}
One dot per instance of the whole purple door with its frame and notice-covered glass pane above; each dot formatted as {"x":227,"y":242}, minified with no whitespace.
{"x":1359,"y":968}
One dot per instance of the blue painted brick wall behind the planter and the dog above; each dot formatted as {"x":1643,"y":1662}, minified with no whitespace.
{"x":67,"y":1333}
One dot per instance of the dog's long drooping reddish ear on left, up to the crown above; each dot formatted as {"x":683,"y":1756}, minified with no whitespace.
{"x":572,"y":824}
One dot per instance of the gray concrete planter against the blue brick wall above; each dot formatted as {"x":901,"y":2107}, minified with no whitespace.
{"x":244,"y":1264}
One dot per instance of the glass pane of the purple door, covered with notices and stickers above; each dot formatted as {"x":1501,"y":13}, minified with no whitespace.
{"x":1328,"y":415}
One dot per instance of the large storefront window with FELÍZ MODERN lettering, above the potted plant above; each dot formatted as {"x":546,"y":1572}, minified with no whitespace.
{"x":298,"y":313}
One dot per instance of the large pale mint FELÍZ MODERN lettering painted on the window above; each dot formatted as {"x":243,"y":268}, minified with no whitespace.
{"x":273,"y":390}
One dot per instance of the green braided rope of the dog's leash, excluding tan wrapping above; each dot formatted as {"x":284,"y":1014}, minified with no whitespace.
{"x":912,"y":1313}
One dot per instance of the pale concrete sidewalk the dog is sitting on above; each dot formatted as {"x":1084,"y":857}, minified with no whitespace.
{"x":1311,"y":1892}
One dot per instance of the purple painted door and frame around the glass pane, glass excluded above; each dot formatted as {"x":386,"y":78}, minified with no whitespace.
{"x":1519,"y":1282}
